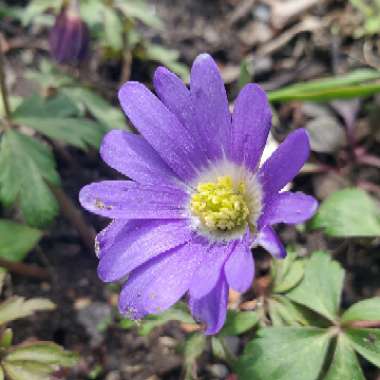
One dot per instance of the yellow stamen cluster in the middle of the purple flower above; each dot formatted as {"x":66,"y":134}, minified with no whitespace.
{"x":220,"y":205}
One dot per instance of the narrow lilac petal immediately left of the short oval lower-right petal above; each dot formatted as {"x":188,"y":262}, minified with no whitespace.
{"x":208,"y":273}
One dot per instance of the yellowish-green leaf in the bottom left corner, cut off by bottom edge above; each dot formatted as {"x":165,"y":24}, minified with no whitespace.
{"x":36,"y":361}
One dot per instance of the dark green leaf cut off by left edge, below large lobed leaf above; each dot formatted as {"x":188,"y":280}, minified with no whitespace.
{"x":16,"y":240}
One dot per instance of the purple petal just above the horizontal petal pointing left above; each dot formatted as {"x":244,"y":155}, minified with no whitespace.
{"x":132,"y":156}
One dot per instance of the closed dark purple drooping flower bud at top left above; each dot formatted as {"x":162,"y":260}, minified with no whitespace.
{"x":69,"y":37}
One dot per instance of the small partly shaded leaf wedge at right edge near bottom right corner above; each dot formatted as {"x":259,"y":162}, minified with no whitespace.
{"x":367,"y":343}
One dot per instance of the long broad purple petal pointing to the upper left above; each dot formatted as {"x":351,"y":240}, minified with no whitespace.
{"x":161,"y":128}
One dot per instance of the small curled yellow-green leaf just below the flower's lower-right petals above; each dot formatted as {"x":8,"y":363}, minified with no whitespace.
{"x":287,"y":273}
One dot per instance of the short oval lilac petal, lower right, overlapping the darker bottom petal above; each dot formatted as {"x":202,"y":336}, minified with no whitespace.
{"x":239,"y":268}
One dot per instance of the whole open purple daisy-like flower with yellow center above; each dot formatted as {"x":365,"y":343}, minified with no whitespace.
{"x":198,"y":200}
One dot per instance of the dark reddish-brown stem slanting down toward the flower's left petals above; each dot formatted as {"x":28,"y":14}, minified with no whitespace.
{"x":75,"y":217}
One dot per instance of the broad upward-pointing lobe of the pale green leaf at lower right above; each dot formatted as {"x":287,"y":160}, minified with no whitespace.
{"x":321,"y":288}
